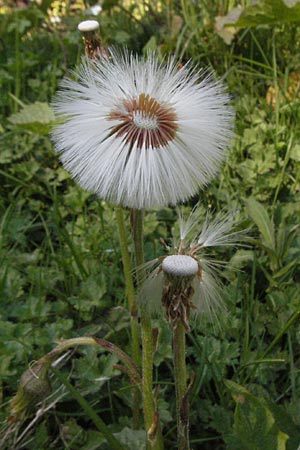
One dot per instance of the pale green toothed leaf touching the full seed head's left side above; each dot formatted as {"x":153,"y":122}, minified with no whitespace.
{"x":36,"y":117}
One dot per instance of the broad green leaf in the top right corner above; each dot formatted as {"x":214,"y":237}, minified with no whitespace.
{"x":269,"y":12}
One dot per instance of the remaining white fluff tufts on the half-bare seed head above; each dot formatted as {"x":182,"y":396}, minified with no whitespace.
{"x":214,"y":231}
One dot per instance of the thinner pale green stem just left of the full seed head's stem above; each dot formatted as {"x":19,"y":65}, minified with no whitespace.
{"x":135,"y":348}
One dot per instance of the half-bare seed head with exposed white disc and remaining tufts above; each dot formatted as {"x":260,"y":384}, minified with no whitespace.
{"x":191,"y":284}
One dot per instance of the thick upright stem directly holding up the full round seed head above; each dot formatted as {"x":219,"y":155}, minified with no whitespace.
{"x":154,"y":441}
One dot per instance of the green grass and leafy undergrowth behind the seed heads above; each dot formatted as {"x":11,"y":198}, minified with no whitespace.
{"x":61,"y":273}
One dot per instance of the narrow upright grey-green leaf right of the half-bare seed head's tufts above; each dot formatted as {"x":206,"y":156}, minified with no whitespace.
{"x":260,"y":217}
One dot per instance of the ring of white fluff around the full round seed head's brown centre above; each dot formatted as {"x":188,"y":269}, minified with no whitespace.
{"x":125,"y":174}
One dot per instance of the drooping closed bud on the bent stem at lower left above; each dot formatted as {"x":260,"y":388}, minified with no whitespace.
{"x":34,"y":387}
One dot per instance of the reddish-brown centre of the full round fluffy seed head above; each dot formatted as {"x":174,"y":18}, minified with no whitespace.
{"x":145,"y":122}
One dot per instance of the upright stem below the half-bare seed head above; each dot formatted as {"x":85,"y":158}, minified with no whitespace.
{"x":182,"y":405}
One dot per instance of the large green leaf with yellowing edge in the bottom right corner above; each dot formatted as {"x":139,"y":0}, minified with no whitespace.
{"x":253,"y":421}
